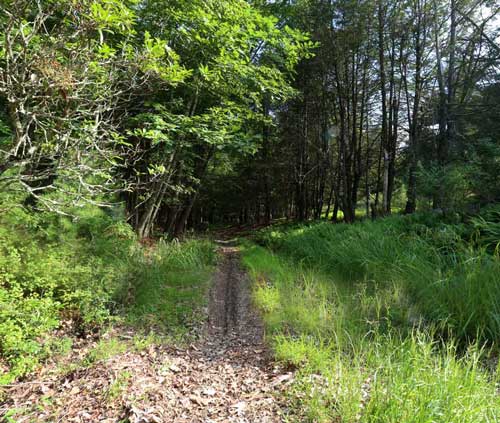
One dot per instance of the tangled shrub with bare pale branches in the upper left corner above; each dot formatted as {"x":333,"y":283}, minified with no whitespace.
{"x":62,"y":69}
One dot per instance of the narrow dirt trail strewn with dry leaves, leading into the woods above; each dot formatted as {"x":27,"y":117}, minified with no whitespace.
{"x":232,"y":361}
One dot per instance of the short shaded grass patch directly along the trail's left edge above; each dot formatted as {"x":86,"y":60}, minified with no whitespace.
{"x":169,"y":287}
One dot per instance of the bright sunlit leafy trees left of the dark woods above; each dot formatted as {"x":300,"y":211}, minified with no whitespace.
{"x":129,"y":101}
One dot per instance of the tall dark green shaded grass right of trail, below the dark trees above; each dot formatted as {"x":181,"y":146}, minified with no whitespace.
{"x":422,"y":256}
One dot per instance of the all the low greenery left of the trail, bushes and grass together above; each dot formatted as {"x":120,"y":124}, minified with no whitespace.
{"x":81,"y":277}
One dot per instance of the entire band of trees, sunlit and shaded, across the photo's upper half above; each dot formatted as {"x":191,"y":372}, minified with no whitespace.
{"x":191,"y":113}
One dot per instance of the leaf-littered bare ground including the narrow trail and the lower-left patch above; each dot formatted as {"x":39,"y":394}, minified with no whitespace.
{"x":228,"y":376}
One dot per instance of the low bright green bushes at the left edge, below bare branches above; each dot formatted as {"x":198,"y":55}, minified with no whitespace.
{"x":47,"y":271}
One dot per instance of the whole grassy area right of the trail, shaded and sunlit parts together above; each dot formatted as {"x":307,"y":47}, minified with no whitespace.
{"x":396,"y":320}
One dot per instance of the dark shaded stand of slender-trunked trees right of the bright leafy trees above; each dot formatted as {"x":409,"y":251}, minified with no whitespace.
{"x":386,"y":117}
